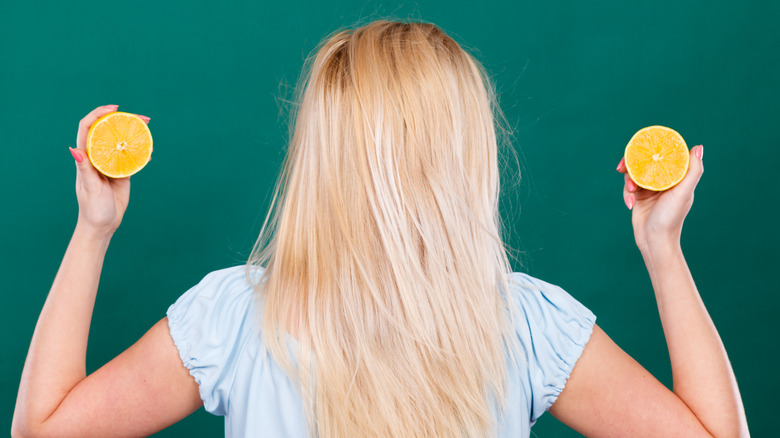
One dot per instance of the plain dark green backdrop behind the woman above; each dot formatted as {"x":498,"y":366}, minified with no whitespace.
{"x":576,"y":80}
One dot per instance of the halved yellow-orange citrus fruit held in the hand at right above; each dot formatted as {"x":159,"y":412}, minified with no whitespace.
{"x":657,"y":158}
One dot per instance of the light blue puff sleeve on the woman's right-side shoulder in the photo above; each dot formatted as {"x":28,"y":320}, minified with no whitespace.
{"x":553,"y":329}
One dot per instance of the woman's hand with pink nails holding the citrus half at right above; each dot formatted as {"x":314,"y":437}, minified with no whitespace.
{"x":657,"y":217}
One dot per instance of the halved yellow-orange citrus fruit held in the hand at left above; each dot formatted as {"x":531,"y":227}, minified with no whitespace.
{"x":119,"y":144}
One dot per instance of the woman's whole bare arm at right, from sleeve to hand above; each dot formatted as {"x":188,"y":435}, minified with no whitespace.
{"x":610,"y":394}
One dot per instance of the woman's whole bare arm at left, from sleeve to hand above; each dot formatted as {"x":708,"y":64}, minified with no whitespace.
{"x":142,"y":390}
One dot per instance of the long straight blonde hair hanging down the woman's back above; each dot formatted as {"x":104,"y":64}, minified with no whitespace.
{"x":383,"y":248}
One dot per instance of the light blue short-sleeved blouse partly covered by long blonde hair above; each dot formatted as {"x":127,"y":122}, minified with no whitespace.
{"x":214,"y":326}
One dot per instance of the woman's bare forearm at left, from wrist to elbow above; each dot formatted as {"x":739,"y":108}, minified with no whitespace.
{"x":56,"y":361}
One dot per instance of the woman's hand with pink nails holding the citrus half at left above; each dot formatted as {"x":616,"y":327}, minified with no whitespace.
{"x":102,"y":200}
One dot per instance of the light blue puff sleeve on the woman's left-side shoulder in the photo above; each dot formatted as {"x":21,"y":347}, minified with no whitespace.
{"x":210,"y":326}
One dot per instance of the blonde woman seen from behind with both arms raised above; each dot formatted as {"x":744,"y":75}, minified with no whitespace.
{"x":381,"y":267}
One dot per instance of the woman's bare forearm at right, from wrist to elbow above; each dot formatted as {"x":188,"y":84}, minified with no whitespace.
{"x":701,"y":371}
